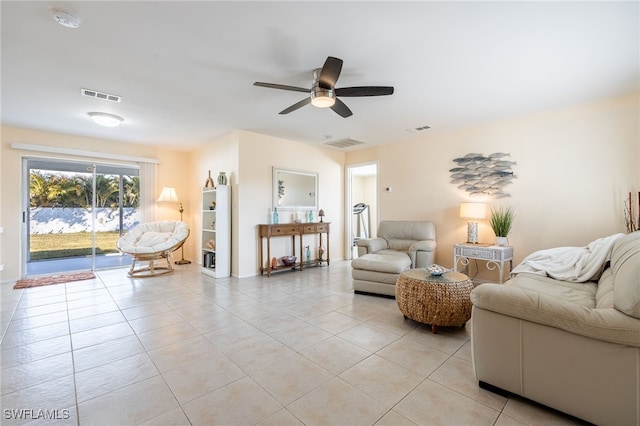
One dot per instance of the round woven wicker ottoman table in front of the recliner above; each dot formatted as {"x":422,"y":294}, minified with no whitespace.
{"x":436,"y":300}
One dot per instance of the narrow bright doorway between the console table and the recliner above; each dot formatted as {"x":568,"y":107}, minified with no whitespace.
{"x":362,"y":204}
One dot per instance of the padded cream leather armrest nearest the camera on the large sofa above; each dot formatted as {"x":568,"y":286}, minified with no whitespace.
{"x":603,"y":324}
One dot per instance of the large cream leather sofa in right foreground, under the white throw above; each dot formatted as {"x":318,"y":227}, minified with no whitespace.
{"x":571,"y":346}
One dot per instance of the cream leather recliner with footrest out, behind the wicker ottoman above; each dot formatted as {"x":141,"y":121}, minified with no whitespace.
{"x":400,"y":245}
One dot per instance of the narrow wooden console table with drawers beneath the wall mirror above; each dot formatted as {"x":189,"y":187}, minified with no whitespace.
{"x":292,"y":230}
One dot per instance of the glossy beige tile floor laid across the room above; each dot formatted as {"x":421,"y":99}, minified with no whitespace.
{"x":293,"y":349}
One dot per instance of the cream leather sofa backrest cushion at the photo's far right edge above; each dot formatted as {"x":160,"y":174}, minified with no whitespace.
{"x":625,"y":264}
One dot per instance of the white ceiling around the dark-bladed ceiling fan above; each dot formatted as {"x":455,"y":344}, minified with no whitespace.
{"x":185,"y":69}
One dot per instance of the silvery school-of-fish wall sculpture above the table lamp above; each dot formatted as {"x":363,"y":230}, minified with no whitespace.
{"x":483,"y":176}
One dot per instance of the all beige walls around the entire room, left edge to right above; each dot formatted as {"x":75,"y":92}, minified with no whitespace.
{"x":575,"y":166}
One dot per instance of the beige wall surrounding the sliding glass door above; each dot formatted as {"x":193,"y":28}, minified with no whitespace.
{"x":171,"y":172}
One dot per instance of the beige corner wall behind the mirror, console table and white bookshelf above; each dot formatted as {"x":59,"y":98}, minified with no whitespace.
{"x":250,"y":157}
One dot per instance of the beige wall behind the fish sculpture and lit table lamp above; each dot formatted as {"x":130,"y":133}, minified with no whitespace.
{"x":574,"y":167}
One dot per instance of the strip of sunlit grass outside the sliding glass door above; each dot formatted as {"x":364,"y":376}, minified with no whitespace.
{"x":55,"y":246}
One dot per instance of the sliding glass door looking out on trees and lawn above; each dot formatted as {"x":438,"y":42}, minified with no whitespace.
{"x":73,"y":214}
